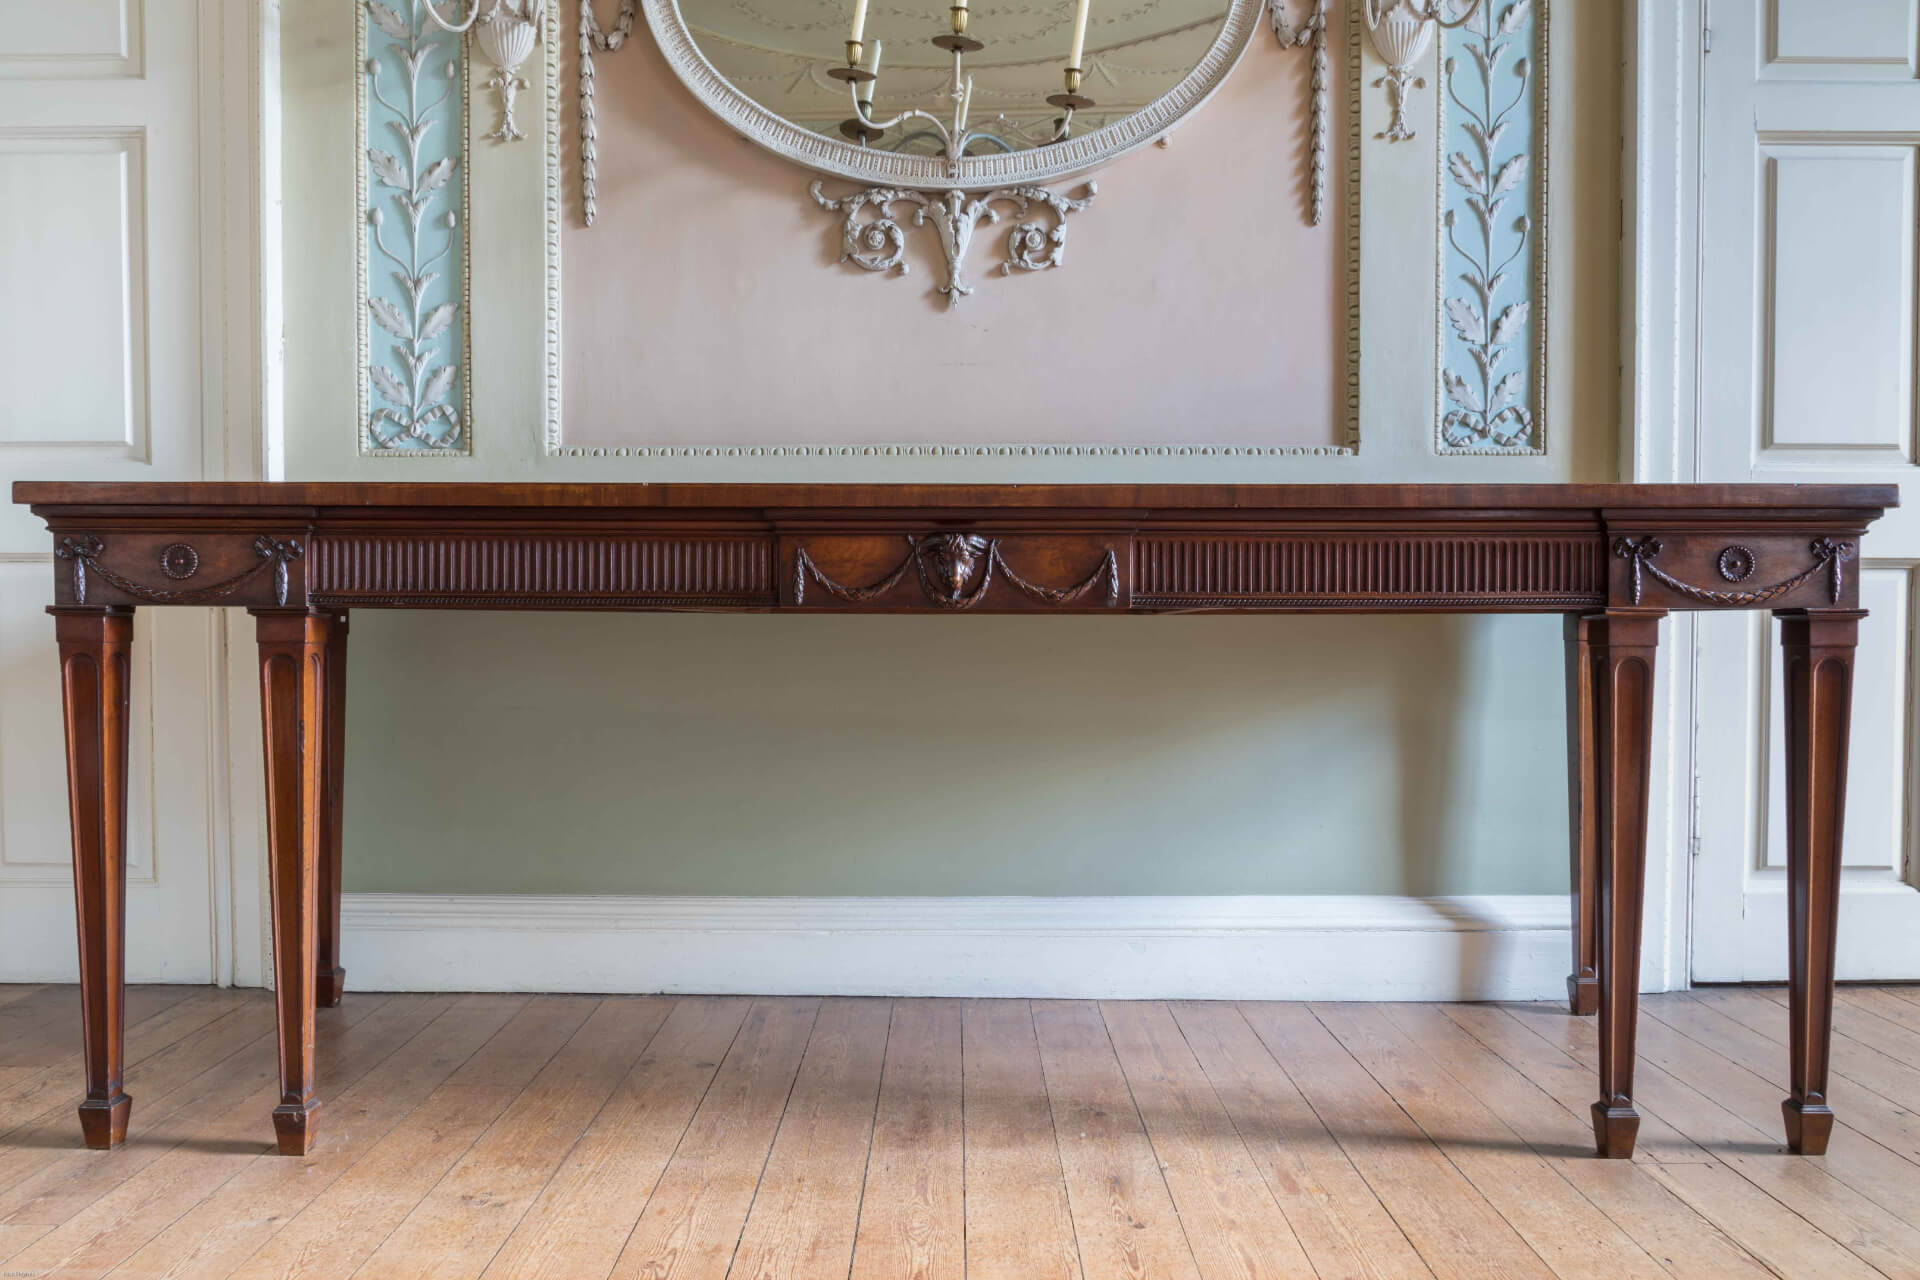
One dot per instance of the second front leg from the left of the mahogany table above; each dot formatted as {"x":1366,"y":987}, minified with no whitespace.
{"x":293,"y":678}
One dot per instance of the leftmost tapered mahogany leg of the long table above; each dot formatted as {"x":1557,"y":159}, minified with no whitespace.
{"x":95,"y":684}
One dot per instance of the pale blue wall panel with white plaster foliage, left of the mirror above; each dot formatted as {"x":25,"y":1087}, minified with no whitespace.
{"x":414,"y":264}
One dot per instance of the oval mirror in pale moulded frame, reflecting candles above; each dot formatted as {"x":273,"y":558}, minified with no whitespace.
{"x":913,"y":93}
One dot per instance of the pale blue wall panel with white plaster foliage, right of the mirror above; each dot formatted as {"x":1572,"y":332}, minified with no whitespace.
{"x":1493,"y":225}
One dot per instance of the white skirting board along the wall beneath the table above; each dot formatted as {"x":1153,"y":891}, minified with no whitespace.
{"x":1193,"y":949}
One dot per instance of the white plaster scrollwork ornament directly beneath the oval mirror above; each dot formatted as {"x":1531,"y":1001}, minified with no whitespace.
{"x":876,"y":241}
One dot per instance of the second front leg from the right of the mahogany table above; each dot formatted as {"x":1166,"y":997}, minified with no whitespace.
{"x":1621,"y":646}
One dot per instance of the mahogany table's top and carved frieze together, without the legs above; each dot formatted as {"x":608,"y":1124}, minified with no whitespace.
{"x":1013,"y":548}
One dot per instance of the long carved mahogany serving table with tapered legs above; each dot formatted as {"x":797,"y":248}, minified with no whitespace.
{"x":1612,"y":559}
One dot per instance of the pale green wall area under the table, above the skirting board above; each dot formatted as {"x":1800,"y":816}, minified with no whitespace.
{"x":765,"y":755}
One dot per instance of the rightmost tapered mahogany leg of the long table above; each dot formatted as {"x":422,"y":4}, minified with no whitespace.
{"x":1817,"y":652}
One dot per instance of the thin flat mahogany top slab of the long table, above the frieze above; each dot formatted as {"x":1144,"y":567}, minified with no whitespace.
{"x":1220,"y":498}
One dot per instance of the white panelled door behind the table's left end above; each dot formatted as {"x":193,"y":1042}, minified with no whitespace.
{"x":103,"y":162}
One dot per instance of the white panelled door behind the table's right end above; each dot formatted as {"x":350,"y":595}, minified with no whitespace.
{"x":1812,"y":154}
